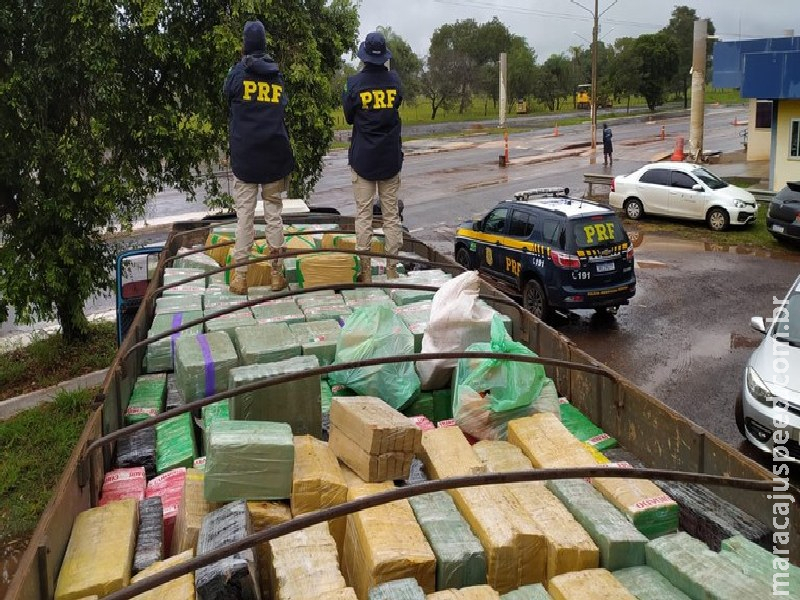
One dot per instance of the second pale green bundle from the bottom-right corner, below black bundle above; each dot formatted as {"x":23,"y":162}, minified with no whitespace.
{"x":690,"y":566}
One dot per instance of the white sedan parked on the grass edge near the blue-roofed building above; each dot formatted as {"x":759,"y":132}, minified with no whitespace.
{"x":682,"y":190}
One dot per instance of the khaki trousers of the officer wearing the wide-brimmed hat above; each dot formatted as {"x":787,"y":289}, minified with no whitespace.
{"x":364,"y":191}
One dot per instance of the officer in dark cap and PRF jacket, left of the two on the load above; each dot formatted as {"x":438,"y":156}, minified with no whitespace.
{"x":261,"y":155}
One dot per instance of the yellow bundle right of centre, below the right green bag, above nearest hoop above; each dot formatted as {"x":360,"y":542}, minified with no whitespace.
{"x":547,"y":443}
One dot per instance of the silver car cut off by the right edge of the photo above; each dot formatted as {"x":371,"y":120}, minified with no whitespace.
{"x":768,"y":408}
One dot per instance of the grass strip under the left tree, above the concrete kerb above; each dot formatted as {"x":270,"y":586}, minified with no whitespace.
{"x":49,"y":360}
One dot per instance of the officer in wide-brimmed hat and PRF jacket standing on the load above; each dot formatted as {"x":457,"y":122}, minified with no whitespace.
{"x":371,"y":101}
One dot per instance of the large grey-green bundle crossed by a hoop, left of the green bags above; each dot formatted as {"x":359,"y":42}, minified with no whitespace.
{"x":296,"y":403}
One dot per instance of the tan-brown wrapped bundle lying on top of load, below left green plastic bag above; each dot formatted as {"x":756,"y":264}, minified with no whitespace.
{"x":375,"y":426}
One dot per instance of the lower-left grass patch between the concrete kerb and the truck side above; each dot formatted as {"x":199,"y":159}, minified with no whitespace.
{"x":34,"y":447}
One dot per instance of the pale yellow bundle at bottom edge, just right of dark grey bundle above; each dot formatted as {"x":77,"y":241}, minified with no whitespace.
{"x":305,"y":565}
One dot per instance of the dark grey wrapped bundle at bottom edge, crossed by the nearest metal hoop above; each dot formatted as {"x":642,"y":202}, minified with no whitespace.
{"x":234,"y":577}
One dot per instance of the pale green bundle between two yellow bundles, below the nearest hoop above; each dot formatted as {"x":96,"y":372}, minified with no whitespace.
{"x":460,"y":558}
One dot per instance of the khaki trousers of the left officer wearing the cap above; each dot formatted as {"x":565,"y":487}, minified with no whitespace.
{"x":245,"y":197}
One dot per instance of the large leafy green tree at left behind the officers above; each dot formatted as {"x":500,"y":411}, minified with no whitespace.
{"x":103,"y":104}
